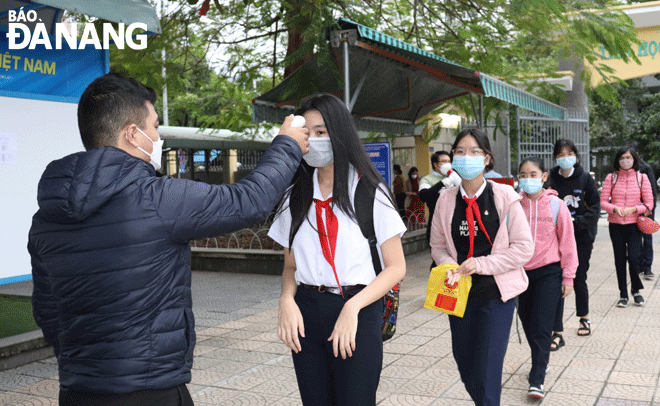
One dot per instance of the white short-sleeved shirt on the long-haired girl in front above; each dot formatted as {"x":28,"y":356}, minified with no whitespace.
{"x":352,"y":255}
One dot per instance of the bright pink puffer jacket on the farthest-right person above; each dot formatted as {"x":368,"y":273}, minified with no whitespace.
{"x":626,"y":193}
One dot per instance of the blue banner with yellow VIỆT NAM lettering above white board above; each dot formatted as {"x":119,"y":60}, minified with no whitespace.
{"x":56,"y":74}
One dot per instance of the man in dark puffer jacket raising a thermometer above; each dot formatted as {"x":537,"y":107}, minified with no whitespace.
{"x":110,"y":253}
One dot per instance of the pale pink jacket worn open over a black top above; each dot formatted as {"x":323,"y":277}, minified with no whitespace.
{"x":511,"y":250}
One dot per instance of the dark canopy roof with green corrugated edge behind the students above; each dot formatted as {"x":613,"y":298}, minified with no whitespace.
{"x":392,"y":84}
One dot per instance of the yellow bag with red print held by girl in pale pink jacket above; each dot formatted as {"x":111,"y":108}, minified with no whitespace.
{"x":441,"y":296}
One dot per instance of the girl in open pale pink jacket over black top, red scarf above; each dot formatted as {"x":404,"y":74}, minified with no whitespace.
{"x":481,"y":226}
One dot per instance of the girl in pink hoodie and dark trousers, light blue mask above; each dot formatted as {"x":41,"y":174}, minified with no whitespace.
{"x":550,"y":271}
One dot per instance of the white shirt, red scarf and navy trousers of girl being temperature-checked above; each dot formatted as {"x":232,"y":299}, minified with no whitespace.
{"x":324,"y":379}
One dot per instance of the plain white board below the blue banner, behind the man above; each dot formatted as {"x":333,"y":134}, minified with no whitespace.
{"x":44,"y":131}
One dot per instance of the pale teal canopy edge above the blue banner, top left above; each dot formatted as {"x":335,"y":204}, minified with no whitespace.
{"x":118,"y":11}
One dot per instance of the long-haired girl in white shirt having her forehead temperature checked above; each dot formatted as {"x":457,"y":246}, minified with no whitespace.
{"x":331,"y":311}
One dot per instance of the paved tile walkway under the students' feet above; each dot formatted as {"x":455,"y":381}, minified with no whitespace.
{"x":240,"y":361}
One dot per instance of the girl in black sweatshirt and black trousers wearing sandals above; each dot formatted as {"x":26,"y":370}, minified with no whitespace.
{"x":578,"y":190}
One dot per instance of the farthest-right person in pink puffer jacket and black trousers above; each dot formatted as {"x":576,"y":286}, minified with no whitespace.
{"x":626,"y":195}
